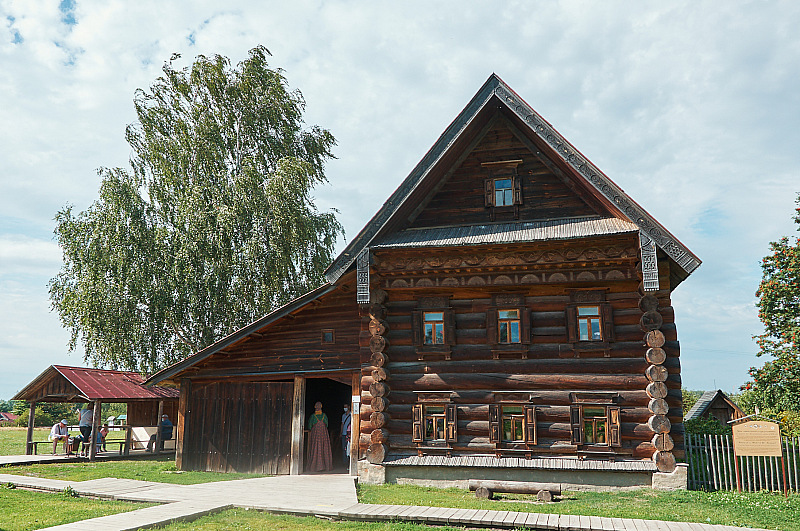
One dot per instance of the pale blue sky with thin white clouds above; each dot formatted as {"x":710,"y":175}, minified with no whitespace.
{"x":692,"y":107}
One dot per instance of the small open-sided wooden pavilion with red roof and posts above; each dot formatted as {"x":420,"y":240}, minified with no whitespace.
{"x":60,"y":383}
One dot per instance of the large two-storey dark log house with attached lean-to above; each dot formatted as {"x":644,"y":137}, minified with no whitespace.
{"x":507,"y":301}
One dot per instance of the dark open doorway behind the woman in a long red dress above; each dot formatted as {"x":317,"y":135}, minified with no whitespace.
{"x":334,"y":396}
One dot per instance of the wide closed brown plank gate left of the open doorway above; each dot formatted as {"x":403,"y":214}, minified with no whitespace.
{"x":239,"y":427}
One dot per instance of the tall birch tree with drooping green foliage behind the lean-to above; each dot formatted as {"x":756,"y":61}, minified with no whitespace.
{"x":212,"y":227}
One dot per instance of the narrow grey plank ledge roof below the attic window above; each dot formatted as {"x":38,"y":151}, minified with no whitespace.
{"x":499,"y":233}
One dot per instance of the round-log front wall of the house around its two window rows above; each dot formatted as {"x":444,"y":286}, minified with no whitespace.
{"x":550,"y":372}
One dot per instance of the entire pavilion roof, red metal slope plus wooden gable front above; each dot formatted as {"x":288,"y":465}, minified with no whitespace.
{"x":88,"y":384}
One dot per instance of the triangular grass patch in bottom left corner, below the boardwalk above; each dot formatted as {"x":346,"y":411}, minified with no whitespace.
{"x":21,"y":510}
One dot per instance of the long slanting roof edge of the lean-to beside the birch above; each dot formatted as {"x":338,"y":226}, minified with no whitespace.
{"x":240,"y":334}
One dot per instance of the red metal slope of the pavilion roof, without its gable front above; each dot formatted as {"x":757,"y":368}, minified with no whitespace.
{"x":104,"y":384}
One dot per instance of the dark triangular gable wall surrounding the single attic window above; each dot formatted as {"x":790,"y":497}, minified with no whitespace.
{"x":461,"y":199}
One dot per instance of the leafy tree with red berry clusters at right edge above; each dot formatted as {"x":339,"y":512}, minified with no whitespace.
{"x":776,"y":385}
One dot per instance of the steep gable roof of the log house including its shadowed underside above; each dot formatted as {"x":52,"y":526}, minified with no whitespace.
{"x":496,"y":94}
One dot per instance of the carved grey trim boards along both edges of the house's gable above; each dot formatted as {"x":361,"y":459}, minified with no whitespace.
{"x":495,"y":89}
